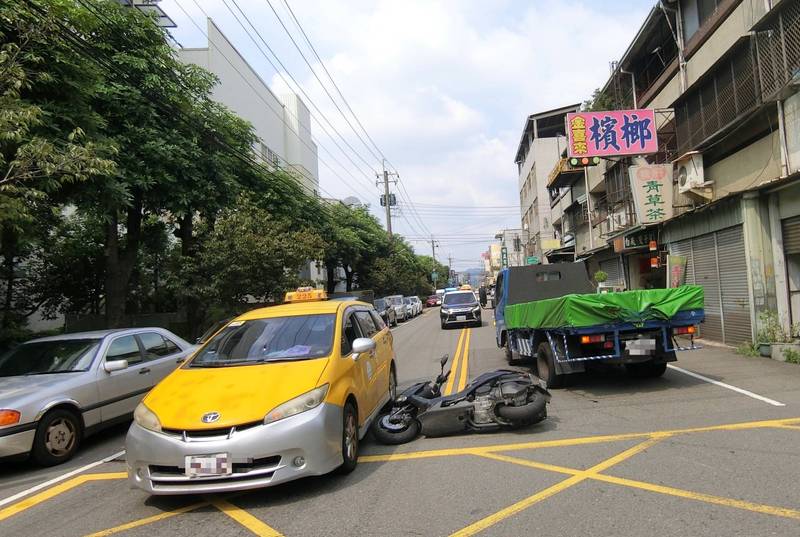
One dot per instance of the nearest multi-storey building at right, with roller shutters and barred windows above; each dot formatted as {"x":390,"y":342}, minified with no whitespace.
{"x":723,"y":79}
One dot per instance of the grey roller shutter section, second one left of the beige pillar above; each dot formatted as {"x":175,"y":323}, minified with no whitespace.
{"x":706,"y":273}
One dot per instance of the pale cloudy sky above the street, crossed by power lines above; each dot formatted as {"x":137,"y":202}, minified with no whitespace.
{"x":443,"y":87}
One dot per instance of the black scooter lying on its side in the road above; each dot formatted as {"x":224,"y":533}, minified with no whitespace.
{"x":494,"y":400}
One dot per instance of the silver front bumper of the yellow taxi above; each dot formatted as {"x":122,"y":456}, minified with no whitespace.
{"x":306,"y":444}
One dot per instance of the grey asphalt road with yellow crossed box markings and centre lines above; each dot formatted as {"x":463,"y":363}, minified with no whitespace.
{"x":708,"y":449}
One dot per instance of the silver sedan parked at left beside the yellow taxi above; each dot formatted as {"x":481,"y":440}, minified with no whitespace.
{"x":54,"y":391}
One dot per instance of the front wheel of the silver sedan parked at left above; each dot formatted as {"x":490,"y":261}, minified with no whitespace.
{"x":57,"y":438}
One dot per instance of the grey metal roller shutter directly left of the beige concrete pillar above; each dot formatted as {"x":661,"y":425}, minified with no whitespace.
{"x":735,"y":289}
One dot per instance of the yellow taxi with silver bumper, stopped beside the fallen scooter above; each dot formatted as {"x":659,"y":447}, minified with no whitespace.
{"x":279,"y":393}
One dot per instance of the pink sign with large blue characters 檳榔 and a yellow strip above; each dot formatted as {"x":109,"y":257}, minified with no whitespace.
{"x":612,"y":133}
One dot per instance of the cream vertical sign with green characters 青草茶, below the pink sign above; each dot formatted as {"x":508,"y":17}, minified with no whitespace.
{"x":651,"y":185}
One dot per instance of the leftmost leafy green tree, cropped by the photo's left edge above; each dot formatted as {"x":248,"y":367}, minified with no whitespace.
{"x":44,"y":120}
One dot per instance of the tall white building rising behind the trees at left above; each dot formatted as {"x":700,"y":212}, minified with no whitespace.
{"x":283,"y":124}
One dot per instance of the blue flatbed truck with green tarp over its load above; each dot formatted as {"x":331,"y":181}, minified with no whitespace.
{"x":552,"y":314}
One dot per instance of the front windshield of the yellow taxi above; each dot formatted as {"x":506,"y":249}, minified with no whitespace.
{"x":276,"y":339}
